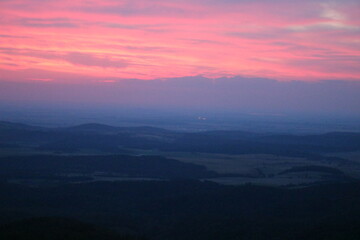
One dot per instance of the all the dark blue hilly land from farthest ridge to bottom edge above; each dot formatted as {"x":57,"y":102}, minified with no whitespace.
{"x":95,"y":181}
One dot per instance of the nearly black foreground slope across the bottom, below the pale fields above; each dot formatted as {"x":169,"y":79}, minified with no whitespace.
{"x":192,"y":209}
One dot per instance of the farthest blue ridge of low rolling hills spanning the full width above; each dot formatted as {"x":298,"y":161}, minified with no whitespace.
{"x":113,"y":139}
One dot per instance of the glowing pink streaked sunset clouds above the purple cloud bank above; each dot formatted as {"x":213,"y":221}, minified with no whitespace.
{"x":109,"y":40}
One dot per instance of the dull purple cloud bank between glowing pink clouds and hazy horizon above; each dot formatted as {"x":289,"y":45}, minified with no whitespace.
{"x":254,"y":96}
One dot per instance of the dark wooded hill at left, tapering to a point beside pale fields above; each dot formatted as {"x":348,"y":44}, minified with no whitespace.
{"x":50,"y":167}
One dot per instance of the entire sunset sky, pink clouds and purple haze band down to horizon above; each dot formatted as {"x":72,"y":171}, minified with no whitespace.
{"x":257,"y":56}
